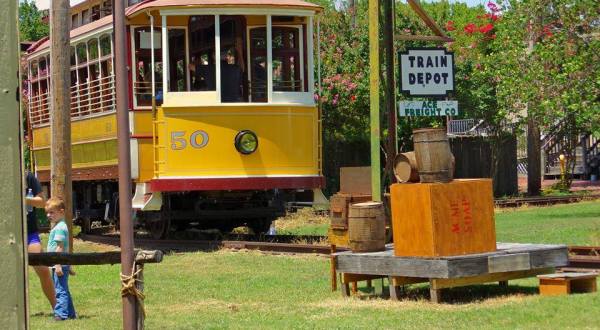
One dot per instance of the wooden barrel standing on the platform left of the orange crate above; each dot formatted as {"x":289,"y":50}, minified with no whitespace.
{"x":366,"y":227}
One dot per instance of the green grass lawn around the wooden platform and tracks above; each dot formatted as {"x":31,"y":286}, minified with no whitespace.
{"x":251,"y":290}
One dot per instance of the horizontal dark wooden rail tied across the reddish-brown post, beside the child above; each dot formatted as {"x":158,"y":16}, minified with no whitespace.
{"x":102,"y":258}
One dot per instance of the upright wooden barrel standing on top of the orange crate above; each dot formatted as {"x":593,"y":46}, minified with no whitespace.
{"x":432,"y":151}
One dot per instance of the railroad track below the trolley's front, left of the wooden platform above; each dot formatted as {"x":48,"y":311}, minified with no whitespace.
{"x":272,"y":244}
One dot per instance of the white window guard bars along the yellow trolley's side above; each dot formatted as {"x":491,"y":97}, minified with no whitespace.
{"x":87,"y":99}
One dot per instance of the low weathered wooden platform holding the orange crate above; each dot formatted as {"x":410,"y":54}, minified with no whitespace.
{"x":510,"y":261}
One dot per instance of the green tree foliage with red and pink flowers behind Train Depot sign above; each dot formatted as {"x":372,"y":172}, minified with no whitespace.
{"x":499,"y":77}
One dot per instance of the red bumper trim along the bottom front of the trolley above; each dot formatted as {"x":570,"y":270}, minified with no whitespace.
{"x":260,"y":183}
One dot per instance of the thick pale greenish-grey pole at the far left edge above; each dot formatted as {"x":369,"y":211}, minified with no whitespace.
{"x":13,"y":306}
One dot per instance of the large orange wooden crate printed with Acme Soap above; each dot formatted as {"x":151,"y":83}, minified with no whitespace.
{"x":443,"y":219}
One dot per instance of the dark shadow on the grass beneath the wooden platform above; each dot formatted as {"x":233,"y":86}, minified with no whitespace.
{"x":459,"y":295}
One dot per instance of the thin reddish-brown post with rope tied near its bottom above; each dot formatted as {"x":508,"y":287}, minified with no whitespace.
{"x":126,"y":226}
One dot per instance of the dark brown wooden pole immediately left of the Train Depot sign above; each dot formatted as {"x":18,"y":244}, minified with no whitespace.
{"x":390,"y":88}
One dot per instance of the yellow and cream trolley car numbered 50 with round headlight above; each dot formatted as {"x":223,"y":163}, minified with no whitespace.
{"x":224,"y":125}
